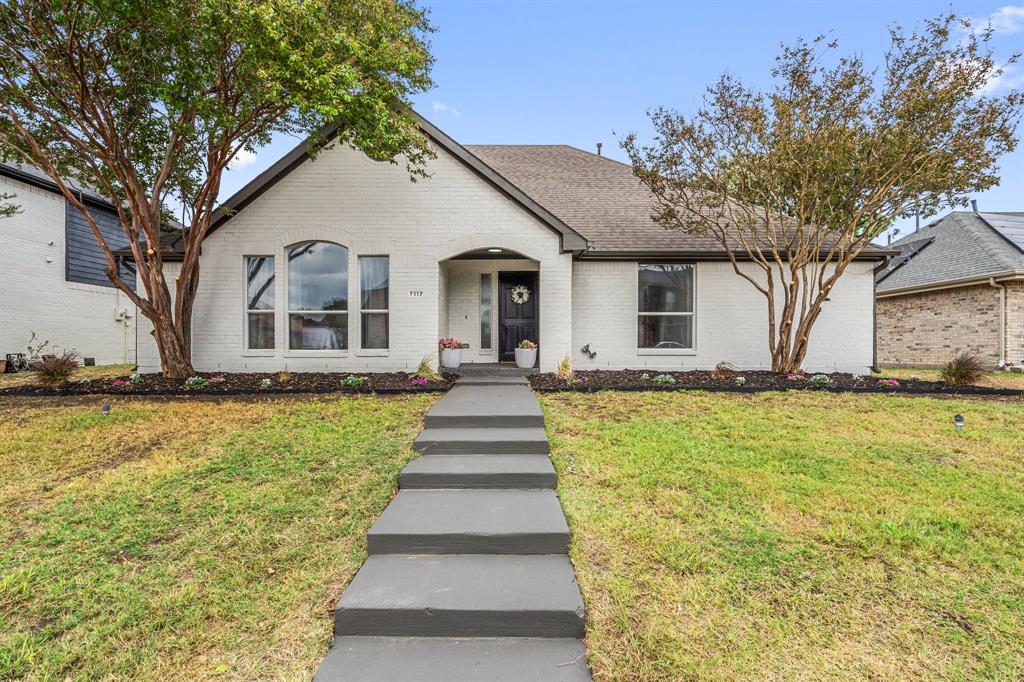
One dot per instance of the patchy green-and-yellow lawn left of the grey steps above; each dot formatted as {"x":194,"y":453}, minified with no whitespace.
{"x":187,"y":540}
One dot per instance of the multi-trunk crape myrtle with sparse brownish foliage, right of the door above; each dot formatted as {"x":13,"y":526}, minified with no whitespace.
{"x":797,"y":182}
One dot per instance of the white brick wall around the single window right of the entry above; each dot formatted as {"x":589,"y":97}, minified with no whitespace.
{"x":732,"y":321}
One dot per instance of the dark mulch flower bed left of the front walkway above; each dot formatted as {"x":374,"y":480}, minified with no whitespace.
{"x":246,"y":385}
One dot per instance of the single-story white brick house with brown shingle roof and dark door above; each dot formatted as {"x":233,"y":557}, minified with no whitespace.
{"x":342,"y":264}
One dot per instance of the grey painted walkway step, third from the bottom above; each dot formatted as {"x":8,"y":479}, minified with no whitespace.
{"x":472,"y":523}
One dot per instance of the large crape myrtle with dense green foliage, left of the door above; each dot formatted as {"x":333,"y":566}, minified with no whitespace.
{"x":148,"y":102}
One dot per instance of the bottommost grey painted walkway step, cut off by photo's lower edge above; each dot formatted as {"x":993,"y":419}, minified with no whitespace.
{"x":462,"y":660}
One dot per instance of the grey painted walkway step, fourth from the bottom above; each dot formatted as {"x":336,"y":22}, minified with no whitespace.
{"x":480,"y":472}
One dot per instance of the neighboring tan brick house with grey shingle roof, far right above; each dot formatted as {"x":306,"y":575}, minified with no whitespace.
{"x":957,"y":286}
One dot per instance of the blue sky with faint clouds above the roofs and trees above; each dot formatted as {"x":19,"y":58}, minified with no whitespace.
{"x":582,"y":73}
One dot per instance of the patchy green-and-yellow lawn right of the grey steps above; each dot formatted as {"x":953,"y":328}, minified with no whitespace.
{"x":795,"y":536}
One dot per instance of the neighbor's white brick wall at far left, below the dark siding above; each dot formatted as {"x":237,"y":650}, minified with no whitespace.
{"x":35,"y":296}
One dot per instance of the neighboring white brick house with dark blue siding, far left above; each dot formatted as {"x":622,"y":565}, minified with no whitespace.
{"x":53,"y":274}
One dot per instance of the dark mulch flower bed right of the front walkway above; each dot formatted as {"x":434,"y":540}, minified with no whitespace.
{"x":645,"y":380}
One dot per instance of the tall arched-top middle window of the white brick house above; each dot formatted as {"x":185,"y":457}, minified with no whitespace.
{"x":318,"y":296}
